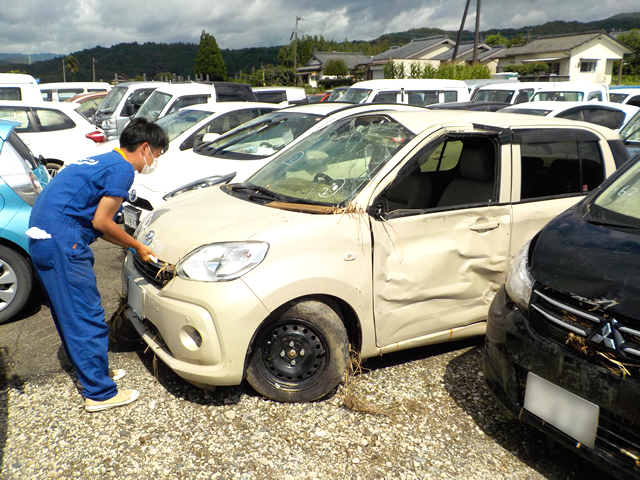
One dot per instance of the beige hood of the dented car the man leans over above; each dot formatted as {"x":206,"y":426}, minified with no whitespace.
{"x":183,"y":224}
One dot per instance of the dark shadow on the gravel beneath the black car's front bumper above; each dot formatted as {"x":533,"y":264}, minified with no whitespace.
{"x":466,"y":386}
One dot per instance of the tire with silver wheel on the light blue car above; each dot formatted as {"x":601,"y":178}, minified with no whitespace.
{"x":16,"y":283}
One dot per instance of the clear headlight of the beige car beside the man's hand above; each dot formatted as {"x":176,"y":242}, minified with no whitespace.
{"x":221,"y":262}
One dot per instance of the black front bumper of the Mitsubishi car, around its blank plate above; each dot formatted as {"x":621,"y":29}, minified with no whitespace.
{"x":513,"y":349}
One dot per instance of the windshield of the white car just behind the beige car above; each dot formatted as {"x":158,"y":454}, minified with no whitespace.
{"x":261,"y":137}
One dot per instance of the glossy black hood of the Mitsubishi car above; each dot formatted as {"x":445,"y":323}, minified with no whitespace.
{"x":589,"y":261}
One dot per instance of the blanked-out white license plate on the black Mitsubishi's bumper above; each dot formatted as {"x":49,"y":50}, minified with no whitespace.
{"x":569,"y":413}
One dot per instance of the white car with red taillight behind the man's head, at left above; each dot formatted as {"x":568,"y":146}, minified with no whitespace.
{"x":54,"y":130}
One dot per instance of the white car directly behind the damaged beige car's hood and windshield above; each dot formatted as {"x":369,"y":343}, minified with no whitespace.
{"x":234,"y":156}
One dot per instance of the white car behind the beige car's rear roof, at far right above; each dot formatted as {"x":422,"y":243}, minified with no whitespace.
{"x":608,"y":114}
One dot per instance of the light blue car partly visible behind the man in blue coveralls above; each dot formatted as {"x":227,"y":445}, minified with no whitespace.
{"x":22,"y":177}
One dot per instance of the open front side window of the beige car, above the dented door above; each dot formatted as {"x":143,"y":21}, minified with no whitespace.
{"x":453,"y":173}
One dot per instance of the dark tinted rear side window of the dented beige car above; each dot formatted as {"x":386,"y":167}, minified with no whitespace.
{"x":551,"y":169}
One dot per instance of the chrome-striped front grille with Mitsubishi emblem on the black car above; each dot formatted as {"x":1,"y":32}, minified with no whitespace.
{"x":585,"y":324}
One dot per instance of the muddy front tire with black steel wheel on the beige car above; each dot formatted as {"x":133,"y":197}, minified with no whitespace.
{"x":301,"y":356}
